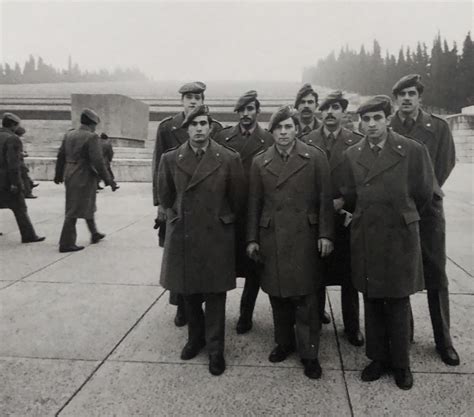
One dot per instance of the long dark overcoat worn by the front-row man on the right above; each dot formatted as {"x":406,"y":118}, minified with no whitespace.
{"x":388,"y":193}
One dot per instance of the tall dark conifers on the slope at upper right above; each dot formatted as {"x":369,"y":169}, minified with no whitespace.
{"x":448,"y":75}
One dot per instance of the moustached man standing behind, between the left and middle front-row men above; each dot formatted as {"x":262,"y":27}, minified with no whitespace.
{"x":248,"y":138}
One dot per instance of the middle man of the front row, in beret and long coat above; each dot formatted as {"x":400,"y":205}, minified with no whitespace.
{"x":290,"y":228}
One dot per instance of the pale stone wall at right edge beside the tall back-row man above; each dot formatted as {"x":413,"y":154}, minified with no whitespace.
{"x":462,"y":127}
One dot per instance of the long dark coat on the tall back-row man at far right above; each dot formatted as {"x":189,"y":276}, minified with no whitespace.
{"x":435,"y":134}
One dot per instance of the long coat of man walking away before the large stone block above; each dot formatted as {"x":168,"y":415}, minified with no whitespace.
{"x":80,"y":164}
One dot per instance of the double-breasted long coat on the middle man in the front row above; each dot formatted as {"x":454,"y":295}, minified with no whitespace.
{"x":289,"y":209}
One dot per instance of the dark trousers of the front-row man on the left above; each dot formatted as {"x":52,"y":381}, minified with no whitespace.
{"x":207,"y":326}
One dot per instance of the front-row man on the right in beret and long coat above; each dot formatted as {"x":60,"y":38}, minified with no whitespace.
{"x":388,"y":180}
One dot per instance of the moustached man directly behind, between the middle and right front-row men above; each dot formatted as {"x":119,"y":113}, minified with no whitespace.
{"x":334,"y":140}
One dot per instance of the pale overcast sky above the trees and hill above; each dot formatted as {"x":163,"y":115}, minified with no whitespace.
{"x":224,"y":40}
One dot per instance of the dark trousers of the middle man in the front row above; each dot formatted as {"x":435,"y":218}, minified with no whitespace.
{"x":296,"y":321}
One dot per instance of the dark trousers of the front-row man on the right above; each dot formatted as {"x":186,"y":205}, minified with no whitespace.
{"x":387,"y":330}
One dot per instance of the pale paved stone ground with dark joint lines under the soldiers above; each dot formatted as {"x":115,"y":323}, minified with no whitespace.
{"x":91,"y":333}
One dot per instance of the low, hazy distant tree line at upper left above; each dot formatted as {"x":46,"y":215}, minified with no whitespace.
{"x":37,"y":71}
